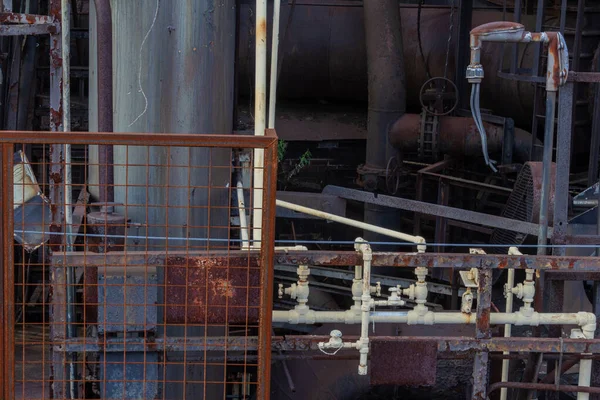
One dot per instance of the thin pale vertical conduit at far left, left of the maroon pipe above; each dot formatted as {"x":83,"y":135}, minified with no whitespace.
{"x":65,"y":15}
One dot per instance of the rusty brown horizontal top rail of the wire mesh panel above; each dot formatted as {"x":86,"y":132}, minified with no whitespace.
{"x":136,"y":139}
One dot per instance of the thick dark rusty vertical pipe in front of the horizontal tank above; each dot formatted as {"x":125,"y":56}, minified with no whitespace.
{"x":387,"y":89}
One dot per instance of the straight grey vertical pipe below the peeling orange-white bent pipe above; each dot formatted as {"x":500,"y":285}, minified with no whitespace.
{"x":547,"y":164}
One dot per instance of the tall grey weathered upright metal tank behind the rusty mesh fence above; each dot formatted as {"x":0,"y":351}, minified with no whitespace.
{"x":173,"y":71}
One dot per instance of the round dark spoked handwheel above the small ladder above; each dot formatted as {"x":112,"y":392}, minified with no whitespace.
{"x":439,"y":96}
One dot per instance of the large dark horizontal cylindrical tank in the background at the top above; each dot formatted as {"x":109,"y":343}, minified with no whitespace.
{"x":323,"y":56}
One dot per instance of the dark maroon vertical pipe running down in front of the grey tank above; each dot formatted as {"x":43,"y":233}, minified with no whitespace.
{"x":105,"y":98}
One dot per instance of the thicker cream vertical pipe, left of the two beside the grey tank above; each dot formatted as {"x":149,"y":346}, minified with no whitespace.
{"x":260,"y":103}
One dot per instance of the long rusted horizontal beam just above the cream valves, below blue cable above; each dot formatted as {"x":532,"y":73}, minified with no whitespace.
{"x":344,"y":259}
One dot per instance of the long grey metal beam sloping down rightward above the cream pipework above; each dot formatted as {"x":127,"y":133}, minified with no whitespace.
{"x":436,"y":210}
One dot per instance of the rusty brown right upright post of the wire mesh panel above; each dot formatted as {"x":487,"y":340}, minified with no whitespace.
{"x":267,"y":270}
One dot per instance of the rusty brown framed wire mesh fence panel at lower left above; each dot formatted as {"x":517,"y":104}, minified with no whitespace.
{"x":145,"y":296}
